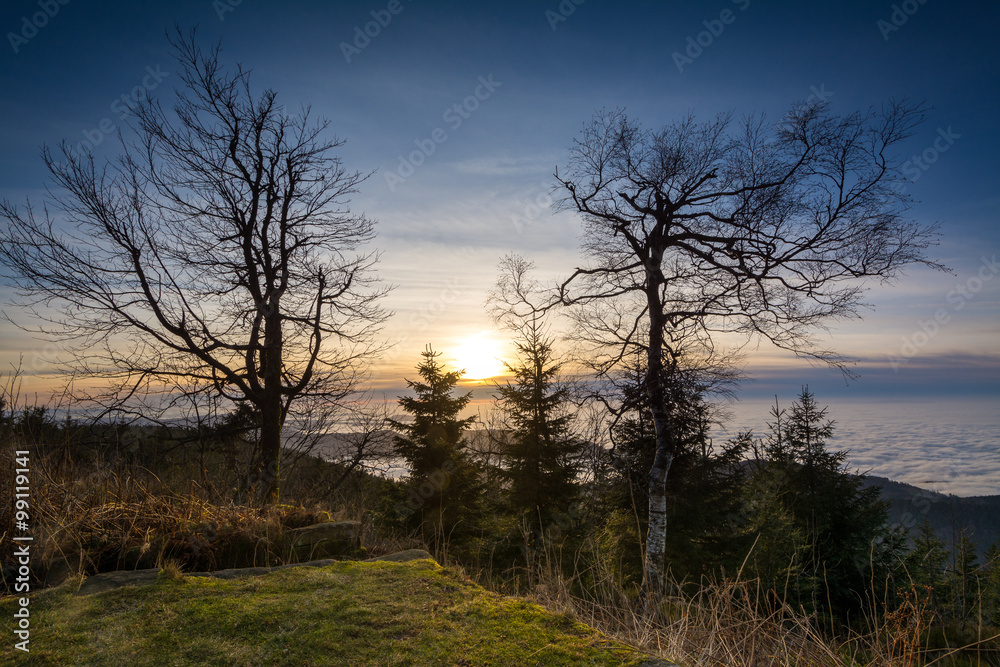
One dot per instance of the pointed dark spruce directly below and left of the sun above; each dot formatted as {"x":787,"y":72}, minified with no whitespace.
{"x":444,"y":485}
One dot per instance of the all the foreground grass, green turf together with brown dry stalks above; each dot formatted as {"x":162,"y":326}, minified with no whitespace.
{"x":94,"y":514}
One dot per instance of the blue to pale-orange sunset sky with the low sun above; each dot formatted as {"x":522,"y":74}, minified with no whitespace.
{"x":463,"y":111}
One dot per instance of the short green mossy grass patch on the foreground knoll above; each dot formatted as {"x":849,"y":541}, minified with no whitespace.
{"x":350,"y":613}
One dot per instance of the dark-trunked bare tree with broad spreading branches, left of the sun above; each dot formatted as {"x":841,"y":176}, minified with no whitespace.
{"x":216,"y":255}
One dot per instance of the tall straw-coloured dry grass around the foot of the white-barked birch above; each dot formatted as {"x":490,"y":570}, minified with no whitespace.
{"x":737,"y":623}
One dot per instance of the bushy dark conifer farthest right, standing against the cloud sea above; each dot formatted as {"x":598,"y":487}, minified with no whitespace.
{"x":843,"y":544}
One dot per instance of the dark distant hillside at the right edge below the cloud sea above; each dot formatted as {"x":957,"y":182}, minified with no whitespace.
{"x":910,"y":505}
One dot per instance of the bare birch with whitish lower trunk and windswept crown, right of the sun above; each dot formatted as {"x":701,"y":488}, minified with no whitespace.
{"x":701,"y":228}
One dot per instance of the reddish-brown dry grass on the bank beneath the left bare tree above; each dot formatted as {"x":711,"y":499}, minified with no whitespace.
{"x":102,"y":518}
